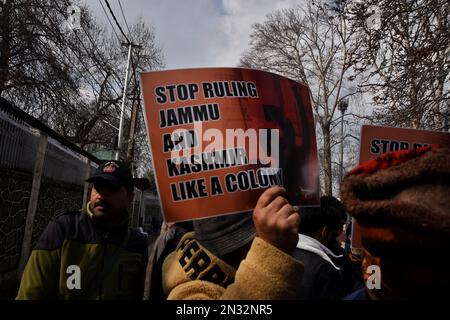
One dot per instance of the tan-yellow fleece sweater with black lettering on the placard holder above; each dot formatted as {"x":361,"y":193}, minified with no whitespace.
{"x":192,"y":272}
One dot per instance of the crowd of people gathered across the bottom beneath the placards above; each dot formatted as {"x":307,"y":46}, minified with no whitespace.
{"x":400,"y":201}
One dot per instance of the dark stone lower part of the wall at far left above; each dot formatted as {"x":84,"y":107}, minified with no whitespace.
{"x":15,"y":187}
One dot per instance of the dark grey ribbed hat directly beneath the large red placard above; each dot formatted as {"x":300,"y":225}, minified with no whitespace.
{"x":224,"y":234}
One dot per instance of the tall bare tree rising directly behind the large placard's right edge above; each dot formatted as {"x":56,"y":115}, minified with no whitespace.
{"x":310,"y":44}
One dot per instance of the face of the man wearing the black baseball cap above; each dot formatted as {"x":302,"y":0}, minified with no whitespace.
{"x":108,"y":202}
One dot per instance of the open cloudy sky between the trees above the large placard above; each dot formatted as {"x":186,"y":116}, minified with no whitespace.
{"x":196,"y":33}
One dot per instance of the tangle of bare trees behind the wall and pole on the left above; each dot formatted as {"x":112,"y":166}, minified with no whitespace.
{"x":69,"y":78}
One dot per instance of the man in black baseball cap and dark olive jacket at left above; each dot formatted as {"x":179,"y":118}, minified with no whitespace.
{"x":91,"y":253}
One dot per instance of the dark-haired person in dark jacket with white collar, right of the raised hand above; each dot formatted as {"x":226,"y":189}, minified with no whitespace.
{"x":318,"y":231}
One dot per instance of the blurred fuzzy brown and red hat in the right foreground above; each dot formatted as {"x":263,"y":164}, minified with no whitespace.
{"x":401,"y":202}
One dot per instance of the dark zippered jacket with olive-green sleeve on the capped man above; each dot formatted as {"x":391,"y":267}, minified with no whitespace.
{"x":75,"y":258}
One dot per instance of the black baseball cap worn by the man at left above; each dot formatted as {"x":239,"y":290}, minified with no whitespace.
{"x":115,"y":173}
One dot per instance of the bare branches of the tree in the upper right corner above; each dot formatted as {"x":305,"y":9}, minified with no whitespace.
{"x":403,"y":56}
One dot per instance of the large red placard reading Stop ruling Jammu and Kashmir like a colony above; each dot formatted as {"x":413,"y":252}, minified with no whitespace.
{"x":220,"y":136}
